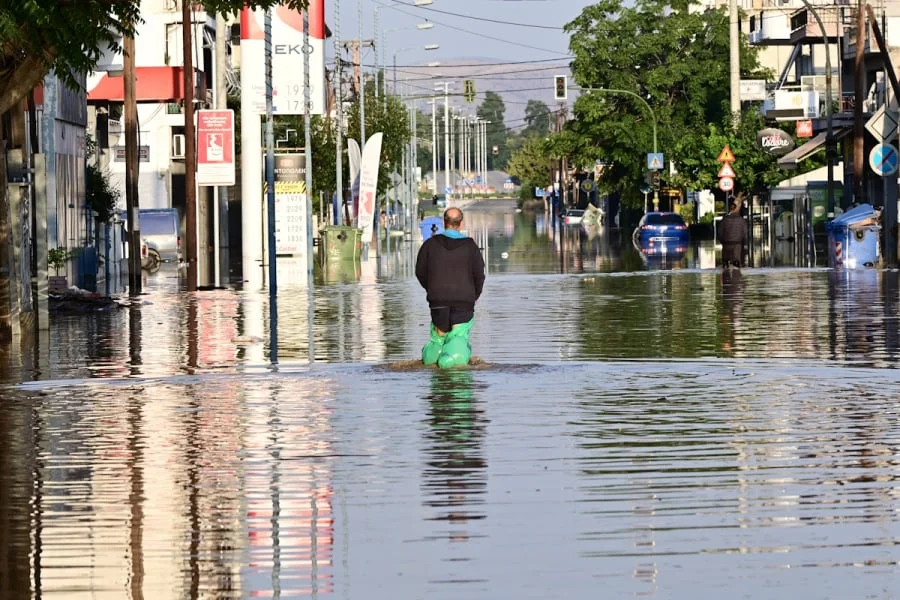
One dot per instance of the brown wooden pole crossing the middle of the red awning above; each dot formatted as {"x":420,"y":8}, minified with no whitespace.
{"x":132,"y":204}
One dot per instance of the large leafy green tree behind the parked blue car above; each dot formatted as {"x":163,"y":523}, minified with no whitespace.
{"x":674,"y":62}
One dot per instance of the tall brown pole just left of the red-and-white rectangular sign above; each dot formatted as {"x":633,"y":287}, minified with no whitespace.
{"x":190,"y":147}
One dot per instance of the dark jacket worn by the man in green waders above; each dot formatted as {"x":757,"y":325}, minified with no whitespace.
{"x":451,"y":271}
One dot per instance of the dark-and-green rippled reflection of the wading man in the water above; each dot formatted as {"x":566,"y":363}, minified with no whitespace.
{"x":455,"y":478}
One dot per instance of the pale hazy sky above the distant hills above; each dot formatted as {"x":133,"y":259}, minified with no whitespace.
{"x":460,"y":37}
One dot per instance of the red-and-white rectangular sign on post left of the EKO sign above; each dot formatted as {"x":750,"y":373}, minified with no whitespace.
{"x":215,"y":147}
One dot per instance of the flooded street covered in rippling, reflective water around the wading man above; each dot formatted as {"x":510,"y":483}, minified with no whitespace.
{"x":635,"y":427}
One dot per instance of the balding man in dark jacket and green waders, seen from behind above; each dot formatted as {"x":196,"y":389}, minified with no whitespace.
{"x":451,"y":270}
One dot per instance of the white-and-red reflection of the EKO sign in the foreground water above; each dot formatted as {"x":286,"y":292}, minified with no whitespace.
{"x":287,"y":484}
